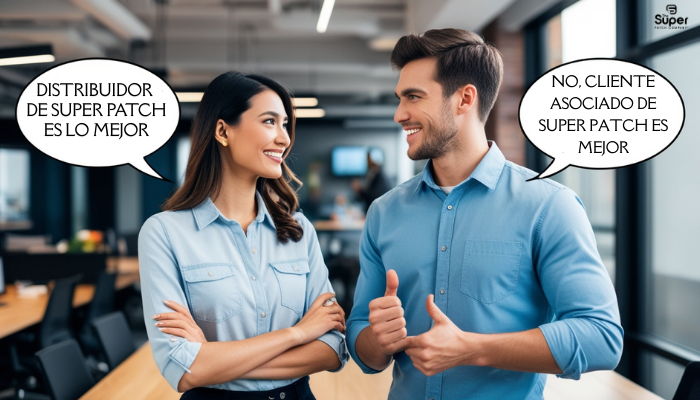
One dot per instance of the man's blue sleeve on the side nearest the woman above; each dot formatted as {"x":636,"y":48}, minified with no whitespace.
{"x":370,"y":285}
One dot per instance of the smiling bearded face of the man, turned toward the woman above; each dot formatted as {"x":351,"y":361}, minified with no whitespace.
{"x":424,"y":113}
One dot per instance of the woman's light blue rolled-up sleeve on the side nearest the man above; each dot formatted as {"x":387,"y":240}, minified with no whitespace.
{"x":317,"y":284}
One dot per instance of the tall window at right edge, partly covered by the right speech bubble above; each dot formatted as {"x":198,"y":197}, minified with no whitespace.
{"x":674,"y":216}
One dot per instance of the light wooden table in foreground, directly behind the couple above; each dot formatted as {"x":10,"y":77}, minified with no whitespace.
{"x":138,"y":378}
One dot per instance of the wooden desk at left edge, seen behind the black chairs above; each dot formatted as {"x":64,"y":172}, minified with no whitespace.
{"x":20,"y":313}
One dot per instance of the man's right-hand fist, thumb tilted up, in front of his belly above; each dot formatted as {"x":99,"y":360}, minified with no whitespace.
{"x":444,"y":346}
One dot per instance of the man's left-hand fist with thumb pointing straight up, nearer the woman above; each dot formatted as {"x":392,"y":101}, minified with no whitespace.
{"x":386,"y":318}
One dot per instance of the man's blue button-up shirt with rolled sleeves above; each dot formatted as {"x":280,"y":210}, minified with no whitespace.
{"x":500,"y":255}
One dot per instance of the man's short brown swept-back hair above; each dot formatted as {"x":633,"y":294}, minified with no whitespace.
{"x":462,"y":58}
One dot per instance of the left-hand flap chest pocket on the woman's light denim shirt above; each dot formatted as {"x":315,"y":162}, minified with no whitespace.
{"x":214,"y":293}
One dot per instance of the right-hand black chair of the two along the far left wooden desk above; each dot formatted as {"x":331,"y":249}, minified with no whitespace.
{"x":102,"y":304}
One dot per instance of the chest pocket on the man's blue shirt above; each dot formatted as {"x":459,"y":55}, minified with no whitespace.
{"x":490,"y":269}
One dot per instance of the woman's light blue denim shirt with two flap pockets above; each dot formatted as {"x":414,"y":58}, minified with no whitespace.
{"x":236,"y":286}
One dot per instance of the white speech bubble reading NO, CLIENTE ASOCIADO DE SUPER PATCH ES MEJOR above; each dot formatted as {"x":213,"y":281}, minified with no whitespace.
{"x":600,"y":113}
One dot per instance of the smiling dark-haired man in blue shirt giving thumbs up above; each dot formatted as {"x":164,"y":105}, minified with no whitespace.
{"x":500,"y":279}
